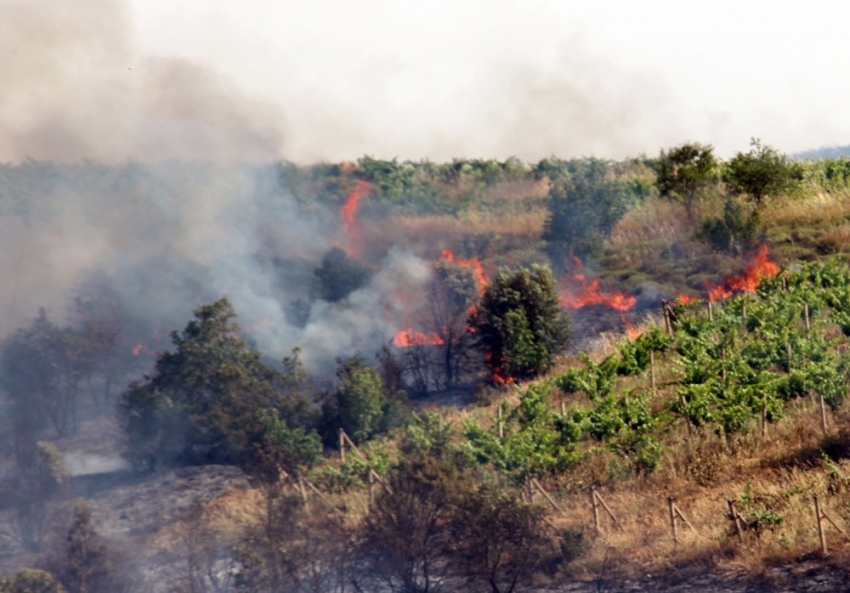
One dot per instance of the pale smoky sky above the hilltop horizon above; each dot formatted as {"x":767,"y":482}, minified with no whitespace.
{"x":329,"y":80}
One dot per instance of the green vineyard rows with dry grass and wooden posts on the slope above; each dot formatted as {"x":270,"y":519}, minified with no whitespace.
{"x":697,"y":395}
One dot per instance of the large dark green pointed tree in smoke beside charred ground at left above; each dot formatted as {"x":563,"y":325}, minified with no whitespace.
{"x":202,"y":402}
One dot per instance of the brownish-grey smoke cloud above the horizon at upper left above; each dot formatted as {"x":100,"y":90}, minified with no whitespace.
{"x":74,"y":87}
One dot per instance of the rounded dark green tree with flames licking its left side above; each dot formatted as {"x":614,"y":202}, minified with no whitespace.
{"x":520,"y":323}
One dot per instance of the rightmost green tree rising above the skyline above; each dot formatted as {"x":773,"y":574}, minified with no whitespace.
{"x":761,"y":173}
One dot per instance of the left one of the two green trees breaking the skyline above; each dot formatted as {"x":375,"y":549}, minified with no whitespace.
{"x":684,"y":171}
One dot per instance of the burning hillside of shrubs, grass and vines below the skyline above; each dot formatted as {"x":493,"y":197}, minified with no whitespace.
{"x":708,"y":364}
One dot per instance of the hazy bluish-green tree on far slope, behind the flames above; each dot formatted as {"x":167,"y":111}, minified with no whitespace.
{"x":583,"y":210}
